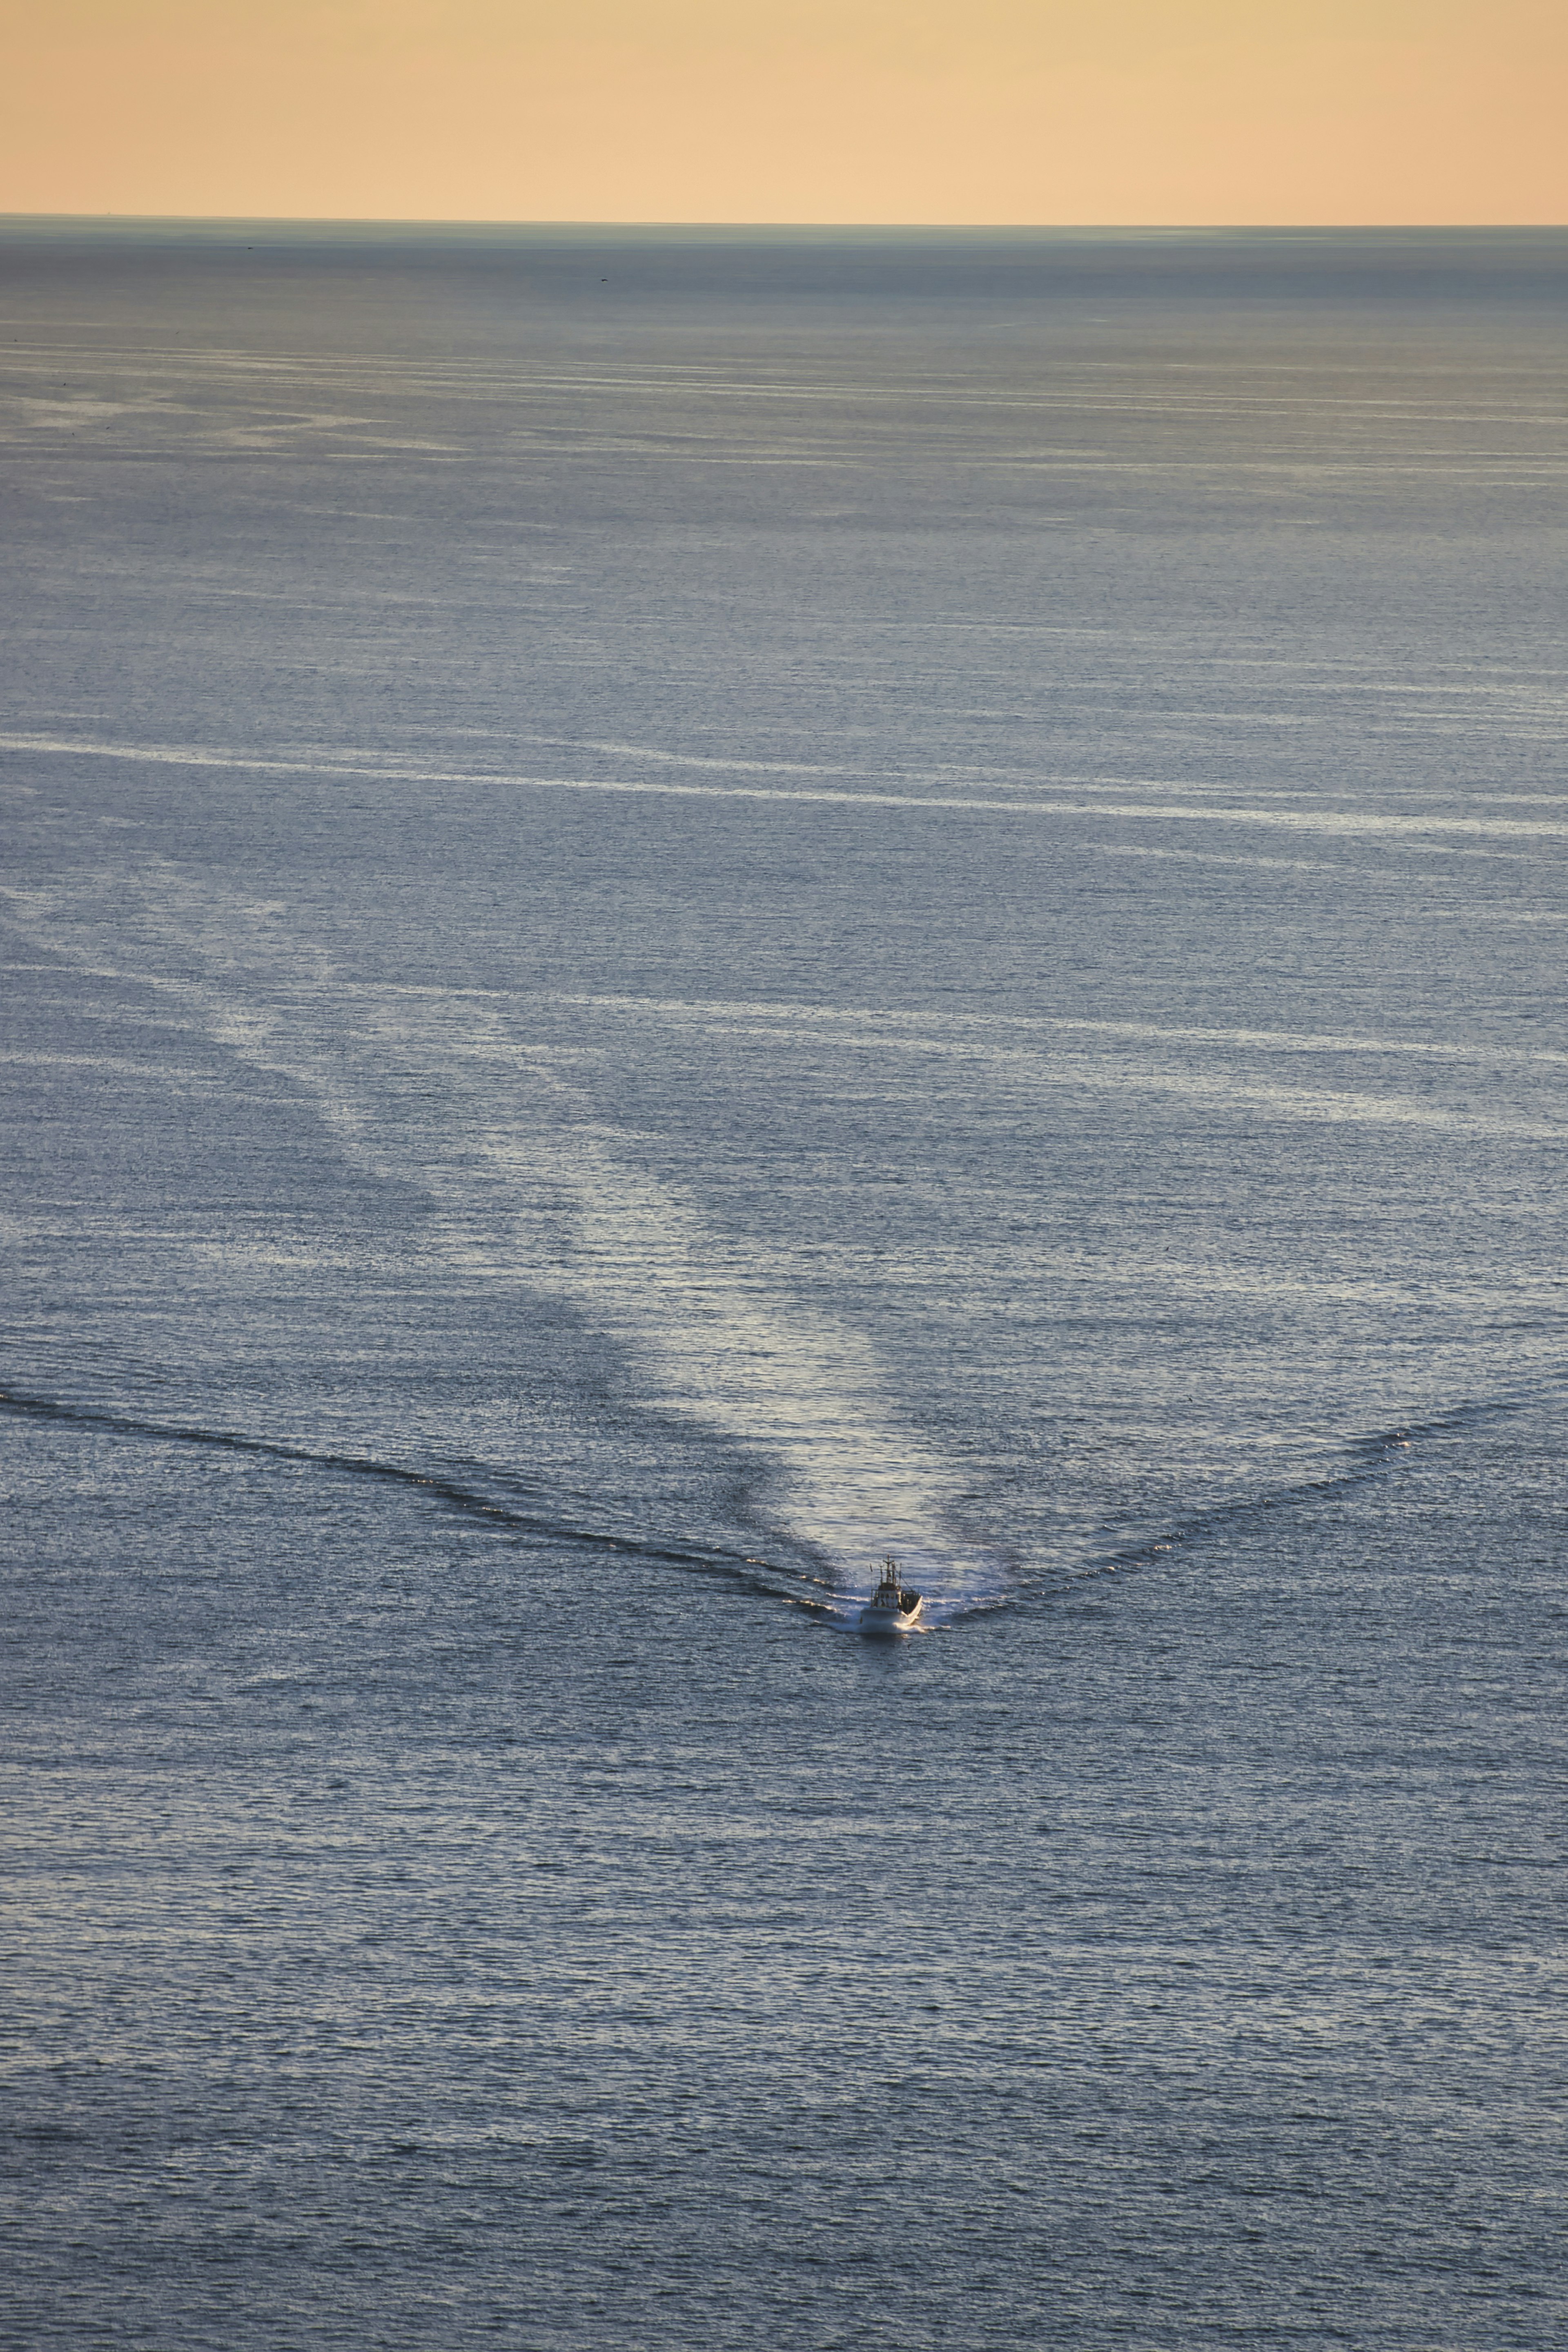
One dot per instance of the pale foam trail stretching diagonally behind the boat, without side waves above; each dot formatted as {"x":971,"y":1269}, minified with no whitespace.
{"x":502,"y":1142}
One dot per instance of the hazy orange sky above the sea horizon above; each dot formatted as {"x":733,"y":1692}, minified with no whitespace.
{"x":1052,"y":112}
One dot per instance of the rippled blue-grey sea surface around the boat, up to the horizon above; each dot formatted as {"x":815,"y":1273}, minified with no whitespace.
{"x":683,"y":911}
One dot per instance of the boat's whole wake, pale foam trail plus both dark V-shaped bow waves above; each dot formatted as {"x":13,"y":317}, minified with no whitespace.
{"x":483,"y":1107}
